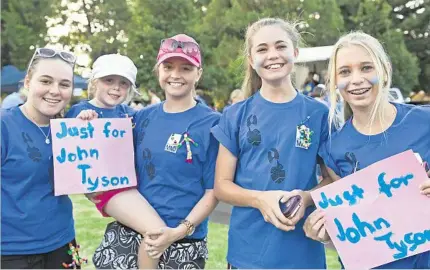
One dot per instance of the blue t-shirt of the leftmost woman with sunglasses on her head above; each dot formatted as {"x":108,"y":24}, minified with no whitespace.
{"x":33,"y":220}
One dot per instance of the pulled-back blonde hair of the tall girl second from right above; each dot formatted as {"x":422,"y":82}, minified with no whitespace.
{"x":252,"y":81}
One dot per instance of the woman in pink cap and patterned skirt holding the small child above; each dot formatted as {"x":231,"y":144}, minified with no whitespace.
{"x":175,"y":163}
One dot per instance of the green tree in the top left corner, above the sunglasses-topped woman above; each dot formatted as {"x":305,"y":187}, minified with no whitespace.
{"x":23,"y":29}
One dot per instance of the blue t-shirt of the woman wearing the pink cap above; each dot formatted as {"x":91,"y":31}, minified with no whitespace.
{"x":170,"y":184}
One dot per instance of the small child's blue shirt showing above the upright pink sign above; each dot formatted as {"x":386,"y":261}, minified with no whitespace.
{"x":119,"y":111}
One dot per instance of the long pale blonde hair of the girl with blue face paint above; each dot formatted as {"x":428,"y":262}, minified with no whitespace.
{"x":383,"y":70}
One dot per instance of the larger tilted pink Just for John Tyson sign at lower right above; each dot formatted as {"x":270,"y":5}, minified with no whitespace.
{"x":377,"y":215}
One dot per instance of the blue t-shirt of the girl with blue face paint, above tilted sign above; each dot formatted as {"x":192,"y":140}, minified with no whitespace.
{"x":349,"y":150}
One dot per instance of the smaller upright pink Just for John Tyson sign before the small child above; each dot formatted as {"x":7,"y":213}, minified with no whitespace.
{"x":92,"y":156}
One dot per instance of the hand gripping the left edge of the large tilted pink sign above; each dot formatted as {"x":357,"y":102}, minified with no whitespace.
{"x":314,"y":227}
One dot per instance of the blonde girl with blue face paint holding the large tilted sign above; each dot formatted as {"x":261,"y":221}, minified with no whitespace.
{"x":375,"y":128}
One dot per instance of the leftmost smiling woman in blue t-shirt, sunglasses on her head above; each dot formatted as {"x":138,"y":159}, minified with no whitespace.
{"x":37,"y":227}
